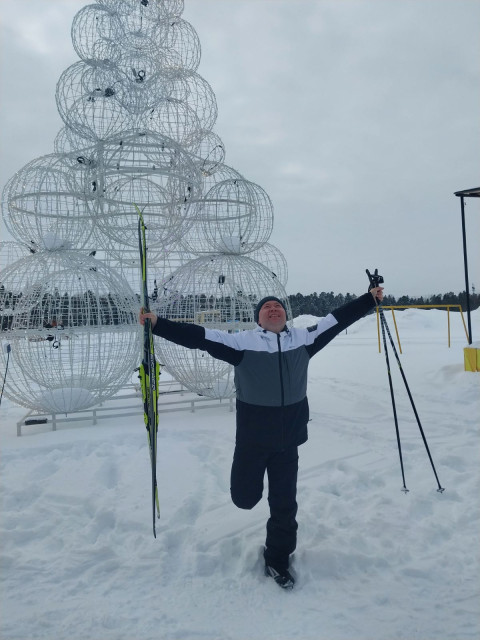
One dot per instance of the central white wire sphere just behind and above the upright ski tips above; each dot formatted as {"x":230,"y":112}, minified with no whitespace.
{"x":152,"y":172}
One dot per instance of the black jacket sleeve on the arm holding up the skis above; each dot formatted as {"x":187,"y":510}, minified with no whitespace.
{"x":192,"y":336}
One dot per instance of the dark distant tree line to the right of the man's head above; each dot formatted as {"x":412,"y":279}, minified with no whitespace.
{"x":320,"y":304}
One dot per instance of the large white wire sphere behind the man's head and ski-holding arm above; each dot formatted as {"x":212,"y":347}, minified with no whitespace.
{"x":217,"y":292}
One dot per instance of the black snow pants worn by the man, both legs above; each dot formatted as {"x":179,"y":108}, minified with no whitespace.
{"x":248,"y":471}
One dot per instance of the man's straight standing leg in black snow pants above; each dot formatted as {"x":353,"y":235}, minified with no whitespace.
{"x":282,"y":526}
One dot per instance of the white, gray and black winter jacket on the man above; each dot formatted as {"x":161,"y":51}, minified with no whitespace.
{"x":270,"y":370}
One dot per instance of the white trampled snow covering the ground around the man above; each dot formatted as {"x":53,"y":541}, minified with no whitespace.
{"x":79,"y":559}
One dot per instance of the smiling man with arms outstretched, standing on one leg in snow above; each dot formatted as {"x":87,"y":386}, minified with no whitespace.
{"x":271,"y":365}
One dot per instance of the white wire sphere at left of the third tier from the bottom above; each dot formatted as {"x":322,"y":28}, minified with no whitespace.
{"x":87,"y":102}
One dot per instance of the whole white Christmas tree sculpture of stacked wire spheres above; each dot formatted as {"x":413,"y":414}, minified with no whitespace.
{"x":138,"y":131}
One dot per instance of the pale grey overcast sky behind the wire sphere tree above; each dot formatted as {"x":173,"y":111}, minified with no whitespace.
{"x":360,"y":118}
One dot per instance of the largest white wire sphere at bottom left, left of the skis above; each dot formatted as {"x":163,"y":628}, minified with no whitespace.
{"x":73,"y":330}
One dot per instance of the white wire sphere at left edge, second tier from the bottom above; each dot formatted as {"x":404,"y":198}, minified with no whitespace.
{"x":49,"y":202}
